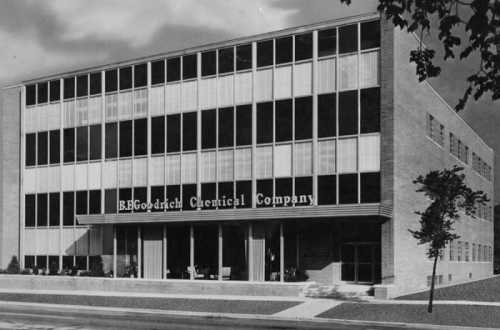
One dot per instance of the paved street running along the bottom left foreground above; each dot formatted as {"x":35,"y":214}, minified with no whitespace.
{"x":14,"y":316}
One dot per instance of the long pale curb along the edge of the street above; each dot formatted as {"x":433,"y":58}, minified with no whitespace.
{"x":119,"y":310}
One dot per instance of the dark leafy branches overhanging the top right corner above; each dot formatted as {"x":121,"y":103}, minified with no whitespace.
{"x":480,"y":22}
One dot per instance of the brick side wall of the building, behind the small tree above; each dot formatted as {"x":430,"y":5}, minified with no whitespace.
{"x":416,"y":154}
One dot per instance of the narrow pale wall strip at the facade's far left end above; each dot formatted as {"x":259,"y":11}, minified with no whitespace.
{"x":10,"y":100}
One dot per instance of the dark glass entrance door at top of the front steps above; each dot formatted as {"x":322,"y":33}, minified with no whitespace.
{"x":361,"y":262}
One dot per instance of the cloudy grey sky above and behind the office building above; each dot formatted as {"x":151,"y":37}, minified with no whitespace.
{"x":51,"y":36}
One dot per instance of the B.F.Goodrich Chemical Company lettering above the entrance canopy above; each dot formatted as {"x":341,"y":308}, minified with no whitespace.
{"x":223,"y":202}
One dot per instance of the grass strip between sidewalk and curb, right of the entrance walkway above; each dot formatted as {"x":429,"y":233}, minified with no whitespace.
{"x":467,"y":316}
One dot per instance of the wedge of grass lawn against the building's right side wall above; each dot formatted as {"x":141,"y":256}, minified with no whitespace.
{"x":484,"y":290}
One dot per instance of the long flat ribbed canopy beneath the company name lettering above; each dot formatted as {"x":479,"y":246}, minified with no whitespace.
{"x":348,"y":210}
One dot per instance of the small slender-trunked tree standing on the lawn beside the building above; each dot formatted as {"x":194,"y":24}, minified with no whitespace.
{"x":448,"y":195}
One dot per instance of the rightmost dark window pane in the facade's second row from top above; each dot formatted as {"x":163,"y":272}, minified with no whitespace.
{"x":370,"y":110}
